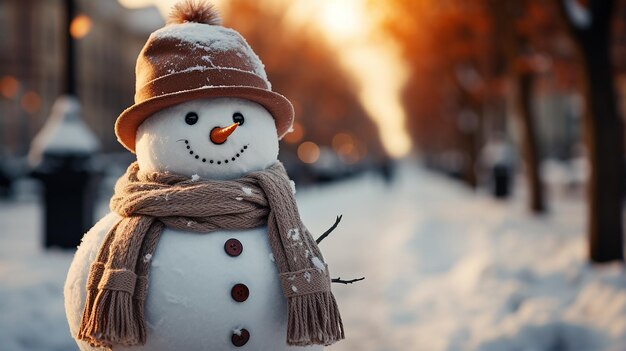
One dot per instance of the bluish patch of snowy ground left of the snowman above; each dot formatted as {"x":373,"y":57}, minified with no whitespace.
{"x":32,"y":316}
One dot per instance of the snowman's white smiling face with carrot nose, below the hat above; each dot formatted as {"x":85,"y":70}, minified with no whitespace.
{"x":219,"y":138}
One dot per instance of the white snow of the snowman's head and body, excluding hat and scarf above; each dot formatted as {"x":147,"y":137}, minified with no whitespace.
{"x":206,"y":291}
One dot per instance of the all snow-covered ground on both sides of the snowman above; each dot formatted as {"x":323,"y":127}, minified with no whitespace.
{"x":445,"y":270}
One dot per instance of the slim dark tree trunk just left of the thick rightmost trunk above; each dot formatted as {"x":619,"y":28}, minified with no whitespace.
{"x":530,"y":148}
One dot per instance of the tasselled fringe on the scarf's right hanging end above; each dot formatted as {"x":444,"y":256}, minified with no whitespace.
{"x":314,"y":319}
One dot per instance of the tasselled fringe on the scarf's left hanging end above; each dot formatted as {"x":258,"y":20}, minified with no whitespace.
{"x":113,"y":320}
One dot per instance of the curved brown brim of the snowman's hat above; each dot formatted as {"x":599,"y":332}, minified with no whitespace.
{"x":129,"y":121}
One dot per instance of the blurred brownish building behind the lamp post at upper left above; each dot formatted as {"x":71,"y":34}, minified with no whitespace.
{"x":32,"y":49}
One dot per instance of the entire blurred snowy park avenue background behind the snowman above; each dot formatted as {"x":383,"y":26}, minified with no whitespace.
{"x":475,"y":149}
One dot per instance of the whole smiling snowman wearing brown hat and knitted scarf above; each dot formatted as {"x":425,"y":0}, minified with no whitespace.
{"x":204,"y":248}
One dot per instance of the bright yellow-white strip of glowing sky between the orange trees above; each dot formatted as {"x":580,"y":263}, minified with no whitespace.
{"x":374,"y":64}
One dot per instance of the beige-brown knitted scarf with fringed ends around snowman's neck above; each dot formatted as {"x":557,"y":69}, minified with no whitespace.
{"x":149,"y":202}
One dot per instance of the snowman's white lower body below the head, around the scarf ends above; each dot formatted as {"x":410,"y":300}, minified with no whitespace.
{"x":190,"y":303}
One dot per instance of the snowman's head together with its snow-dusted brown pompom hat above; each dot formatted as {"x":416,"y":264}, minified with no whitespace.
{"x":201,"y":97}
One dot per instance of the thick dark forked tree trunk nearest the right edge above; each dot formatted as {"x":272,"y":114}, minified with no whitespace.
{"x":604,"y":133}
